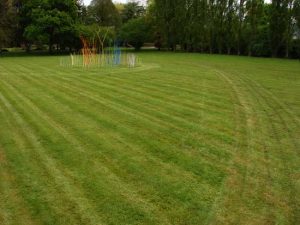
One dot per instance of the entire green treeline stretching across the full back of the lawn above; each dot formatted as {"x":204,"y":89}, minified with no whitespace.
{"x":243,"y":27}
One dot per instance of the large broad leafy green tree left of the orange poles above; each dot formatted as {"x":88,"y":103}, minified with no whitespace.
{"x":52,"y":22}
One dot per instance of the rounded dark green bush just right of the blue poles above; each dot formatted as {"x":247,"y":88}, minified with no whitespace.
{"x":135,"y":32}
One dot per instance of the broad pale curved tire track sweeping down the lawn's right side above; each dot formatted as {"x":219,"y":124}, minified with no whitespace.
{"x":235,"y":183}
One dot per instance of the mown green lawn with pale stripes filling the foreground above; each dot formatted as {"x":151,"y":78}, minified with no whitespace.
{"x":182,"y":139}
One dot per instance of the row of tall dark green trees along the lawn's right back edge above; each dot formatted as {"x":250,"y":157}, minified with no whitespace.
{"x":247,"y":27}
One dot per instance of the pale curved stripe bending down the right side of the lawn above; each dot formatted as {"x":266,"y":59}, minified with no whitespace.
{"x":234,"y":188}
